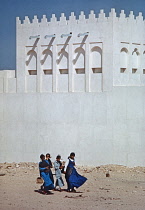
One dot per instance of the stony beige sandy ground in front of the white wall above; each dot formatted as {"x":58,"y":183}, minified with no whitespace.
{"x":124,"y":189}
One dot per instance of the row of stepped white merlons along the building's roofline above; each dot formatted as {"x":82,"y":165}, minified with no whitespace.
{"x":82,"y":18}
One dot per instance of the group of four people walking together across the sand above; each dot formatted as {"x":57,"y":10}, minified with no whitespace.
{"x":73,"y":179}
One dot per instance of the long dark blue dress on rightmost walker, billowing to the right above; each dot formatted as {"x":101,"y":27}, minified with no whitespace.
{"x":72,"y":177}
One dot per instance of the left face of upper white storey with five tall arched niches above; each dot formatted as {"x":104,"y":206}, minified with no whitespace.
{"x":70,"y":53}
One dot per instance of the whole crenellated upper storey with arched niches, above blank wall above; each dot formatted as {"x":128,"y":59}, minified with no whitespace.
{"x":69,"y":54}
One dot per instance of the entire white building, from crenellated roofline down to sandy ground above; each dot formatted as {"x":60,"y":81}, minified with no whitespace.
{"x":79,"y":85}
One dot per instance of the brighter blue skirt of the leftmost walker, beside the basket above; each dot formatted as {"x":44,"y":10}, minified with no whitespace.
{"x":48,"y":185}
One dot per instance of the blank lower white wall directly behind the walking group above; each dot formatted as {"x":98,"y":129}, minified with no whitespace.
{"x":102,"y":128}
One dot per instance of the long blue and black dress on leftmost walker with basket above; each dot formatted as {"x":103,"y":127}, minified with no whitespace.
{"x":44,"y":173}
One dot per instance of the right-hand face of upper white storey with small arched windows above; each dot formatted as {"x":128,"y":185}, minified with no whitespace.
{"x":129,"y":33}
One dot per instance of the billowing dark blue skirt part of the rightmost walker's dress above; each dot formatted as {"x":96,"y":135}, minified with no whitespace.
{"x":75,"y":179}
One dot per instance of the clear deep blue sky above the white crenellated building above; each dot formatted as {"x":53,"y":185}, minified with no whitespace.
{"x":10,"y":9}
